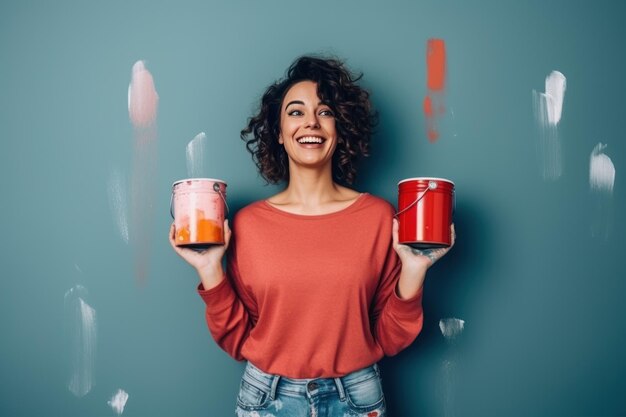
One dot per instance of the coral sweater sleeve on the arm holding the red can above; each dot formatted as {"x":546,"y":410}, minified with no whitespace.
{"x":395,"y":322}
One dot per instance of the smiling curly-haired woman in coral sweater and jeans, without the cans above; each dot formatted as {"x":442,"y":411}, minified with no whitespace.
{"x":317,"y":288}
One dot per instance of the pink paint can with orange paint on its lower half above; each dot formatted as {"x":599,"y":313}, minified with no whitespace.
{"x":198,"y":206}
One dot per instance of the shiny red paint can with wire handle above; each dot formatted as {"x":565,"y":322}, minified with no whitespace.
{"x":425,"y":209}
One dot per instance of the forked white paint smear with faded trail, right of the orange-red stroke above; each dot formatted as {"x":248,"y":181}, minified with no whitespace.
{"x":548,"y":108}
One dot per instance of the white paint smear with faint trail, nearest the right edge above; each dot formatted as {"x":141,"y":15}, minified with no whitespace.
{"x":601,"y":181}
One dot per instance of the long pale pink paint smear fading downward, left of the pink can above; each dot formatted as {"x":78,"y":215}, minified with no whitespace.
{"x":142,"y":109}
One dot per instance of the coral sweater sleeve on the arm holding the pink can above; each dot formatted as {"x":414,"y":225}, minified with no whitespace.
{"x":230,"y":311}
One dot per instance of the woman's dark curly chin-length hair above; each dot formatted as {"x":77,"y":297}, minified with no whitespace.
{"x":355,"y":119}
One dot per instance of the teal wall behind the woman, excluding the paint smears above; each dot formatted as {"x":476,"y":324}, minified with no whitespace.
{"x":542,"y":298}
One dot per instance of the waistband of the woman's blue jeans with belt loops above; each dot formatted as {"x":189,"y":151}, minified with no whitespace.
{"x":308,"y":386}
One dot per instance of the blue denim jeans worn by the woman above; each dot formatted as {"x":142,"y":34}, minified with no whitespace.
{"x":358,"y":394}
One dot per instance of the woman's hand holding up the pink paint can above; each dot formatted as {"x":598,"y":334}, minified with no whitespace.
{"x":206,"y":262}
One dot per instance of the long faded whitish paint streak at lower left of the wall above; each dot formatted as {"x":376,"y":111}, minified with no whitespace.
{"x":82,"y":324}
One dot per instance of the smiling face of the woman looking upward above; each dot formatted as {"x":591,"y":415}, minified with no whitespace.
{"x":307,"y":126}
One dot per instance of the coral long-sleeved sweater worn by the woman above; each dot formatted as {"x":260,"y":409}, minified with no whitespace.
{"x":312,"y":296}
